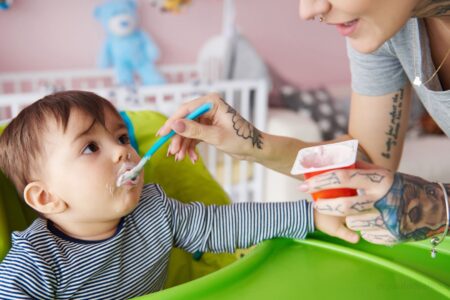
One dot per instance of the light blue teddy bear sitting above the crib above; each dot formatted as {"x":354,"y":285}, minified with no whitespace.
{"x":127,"y":48}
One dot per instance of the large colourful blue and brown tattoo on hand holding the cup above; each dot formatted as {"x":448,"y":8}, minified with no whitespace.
{"x":413,"y":208}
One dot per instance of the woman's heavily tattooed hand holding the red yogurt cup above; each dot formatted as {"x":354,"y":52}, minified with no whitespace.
{"x":390,"y":208}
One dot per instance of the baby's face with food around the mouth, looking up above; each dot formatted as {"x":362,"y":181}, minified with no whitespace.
{"x":82,"y":166}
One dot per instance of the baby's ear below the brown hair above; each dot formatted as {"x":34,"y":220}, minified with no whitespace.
{"x":37,"y":197}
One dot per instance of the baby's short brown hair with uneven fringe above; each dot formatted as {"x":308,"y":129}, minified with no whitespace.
{"x":21,"y":142}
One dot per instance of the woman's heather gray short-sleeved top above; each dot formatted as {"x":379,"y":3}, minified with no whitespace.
{"x":402,"y":58}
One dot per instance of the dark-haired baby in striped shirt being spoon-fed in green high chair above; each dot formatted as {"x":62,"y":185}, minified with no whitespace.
{"x":95,"y":240}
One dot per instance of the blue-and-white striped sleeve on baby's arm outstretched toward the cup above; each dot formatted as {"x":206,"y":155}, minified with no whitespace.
{"x":224,"y":228}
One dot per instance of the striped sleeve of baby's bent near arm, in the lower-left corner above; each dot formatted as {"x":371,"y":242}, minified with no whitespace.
{"x":25,"y":275}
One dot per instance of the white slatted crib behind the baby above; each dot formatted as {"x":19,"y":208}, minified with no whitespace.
{"x":242,"y":180}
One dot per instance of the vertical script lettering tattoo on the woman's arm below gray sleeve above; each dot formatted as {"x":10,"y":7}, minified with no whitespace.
{"x":394,"y":126}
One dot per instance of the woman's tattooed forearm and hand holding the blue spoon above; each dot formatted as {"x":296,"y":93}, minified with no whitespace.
{"x":225,"y":128}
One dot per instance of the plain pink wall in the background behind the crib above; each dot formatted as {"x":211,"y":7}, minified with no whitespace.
{"x":55,"y":34}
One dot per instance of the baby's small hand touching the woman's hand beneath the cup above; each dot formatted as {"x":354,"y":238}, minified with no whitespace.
{"x":334,"y":226}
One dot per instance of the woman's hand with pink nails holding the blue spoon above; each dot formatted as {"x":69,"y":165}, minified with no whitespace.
{"x":222,"y":127}
